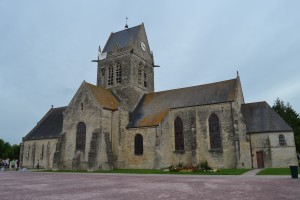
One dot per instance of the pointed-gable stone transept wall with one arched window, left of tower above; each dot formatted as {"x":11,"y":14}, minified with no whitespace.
{"x":95,"y":118}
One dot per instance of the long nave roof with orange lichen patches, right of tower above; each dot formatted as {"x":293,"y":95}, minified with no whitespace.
{"x":153,"y":107}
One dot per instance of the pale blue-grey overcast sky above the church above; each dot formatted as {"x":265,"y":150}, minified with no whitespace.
{"x":46,"y":48}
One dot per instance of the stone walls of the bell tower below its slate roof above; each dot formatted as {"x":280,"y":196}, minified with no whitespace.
{"x":130,"y":90}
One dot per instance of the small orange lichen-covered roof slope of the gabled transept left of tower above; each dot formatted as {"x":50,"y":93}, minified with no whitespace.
{"x":104,"y":97}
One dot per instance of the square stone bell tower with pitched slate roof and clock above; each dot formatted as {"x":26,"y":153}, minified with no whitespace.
{"x":126,"y":65}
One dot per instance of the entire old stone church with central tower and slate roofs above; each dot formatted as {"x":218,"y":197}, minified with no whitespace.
{"x":121,"y":122}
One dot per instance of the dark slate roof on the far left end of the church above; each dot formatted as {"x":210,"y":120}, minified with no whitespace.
{"x":50,"y":125}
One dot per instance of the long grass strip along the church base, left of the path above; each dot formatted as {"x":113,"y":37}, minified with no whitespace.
{"x":154,"y":171}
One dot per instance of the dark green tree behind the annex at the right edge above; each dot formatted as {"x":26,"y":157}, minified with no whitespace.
{"x":291,"y":117}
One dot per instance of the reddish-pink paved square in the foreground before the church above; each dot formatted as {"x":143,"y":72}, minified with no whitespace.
{"x":37,"y":185}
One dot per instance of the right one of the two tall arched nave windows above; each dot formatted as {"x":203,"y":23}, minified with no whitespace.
{"x":214,"y":132}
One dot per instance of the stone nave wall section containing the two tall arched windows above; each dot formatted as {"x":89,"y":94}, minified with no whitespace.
{"x":197,"y":140}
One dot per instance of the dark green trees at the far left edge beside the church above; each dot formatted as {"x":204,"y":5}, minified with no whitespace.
{"x":9,"y":151}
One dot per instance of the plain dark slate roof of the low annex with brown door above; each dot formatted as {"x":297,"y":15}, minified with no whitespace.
{"x":260,"y":117}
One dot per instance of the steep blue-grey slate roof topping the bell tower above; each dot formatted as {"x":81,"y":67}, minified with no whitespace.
{"x":122,"y":38}
